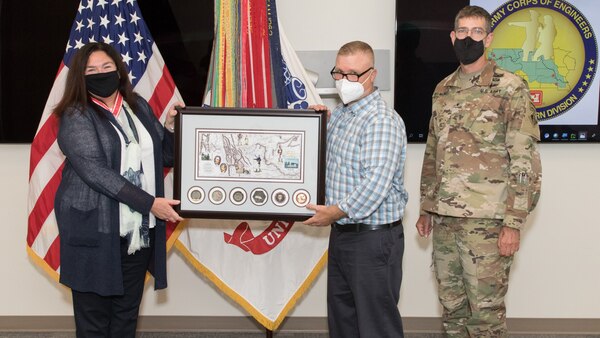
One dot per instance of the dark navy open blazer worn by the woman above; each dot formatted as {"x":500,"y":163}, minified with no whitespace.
{"x":87,"y":199}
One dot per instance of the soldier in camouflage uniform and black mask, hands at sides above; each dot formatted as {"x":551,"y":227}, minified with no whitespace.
{"x":481,"y":177}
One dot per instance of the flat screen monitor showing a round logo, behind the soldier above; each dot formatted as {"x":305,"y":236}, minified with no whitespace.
{"x":551,"y":44}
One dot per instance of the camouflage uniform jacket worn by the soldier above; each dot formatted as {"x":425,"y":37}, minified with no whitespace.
{"x":481,"y":158}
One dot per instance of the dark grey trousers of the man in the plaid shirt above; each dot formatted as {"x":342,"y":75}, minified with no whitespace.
{"x":363,"y":283}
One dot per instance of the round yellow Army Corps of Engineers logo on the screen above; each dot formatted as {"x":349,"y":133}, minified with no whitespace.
{"x":551,"y":45}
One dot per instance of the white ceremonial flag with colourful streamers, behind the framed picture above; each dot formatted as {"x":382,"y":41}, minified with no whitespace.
{"x":264,"y":266}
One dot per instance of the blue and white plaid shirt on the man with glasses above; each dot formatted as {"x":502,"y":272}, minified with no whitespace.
{"x":366,"y":151}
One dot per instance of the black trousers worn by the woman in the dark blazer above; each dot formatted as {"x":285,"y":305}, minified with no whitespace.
{"x":114,"y":316}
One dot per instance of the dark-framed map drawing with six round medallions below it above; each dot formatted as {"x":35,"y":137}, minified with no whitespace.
{"x":241,"y":163}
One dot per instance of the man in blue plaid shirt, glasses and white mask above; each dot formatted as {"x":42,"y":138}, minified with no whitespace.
{"x":365,"y":201}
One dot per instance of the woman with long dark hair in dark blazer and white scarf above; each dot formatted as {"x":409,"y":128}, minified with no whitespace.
{"x":110,"y":204}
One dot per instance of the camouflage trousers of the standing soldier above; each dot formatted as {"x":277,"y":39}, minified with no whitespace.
{"x":472,"y":276}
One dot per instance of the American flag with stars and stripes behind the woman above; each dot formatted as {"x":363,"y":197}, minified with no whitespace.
{"x":120,"y":24}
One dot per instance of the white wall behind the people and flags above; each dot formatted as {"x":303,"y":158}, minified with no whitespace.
{"x":556,"y":273}
